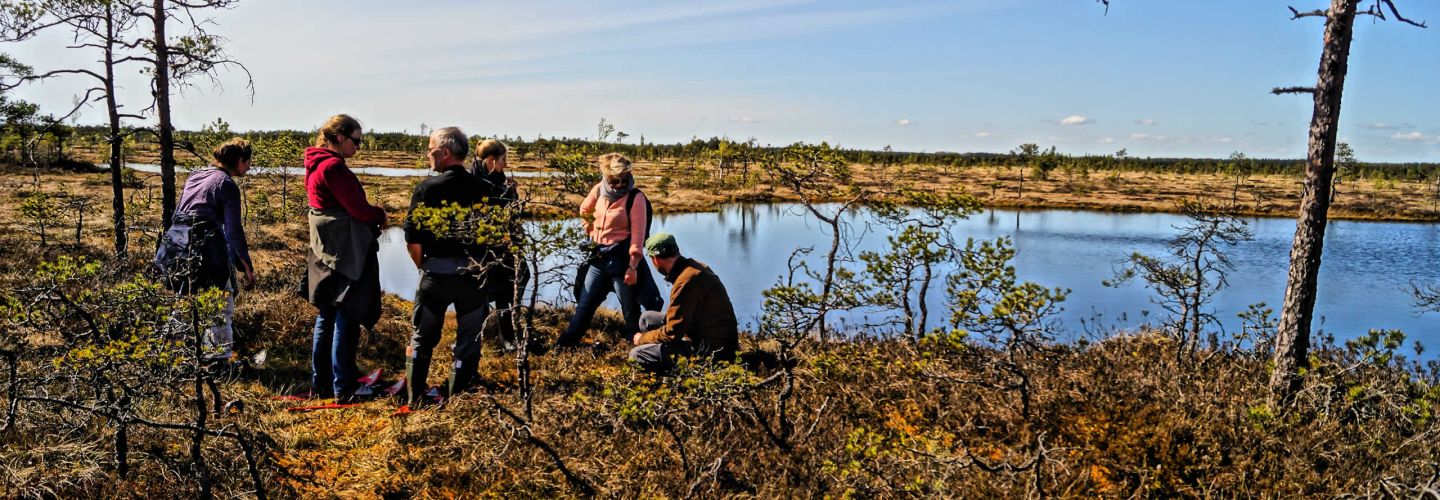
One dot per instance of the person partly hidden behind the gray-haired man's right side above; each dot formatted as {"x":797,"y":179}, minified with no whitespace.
{"x":506,"y":269}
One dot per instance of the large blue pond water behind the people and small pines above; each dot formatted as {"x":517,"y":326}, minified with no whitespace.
{"x":1363,"y":280}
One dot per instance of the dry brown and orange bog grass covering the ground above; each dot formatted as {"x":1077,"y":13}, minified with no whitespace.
{"x":872,"y":419}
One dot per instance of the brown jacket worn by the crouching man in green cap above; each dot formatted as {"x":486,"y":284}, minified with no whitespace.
{"x":699,"y":311}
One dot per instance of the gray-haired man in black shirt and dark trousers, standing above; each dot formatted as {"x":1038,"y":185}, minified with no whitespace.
{"x":446,"y":262}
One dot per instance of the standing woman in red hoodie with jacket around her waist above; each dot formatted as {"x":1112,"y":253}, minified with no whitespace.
{"x":343,"y":272}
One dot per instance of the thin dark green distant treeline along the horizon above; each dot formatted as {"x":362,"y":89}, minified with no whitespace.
{"x":750,"y":152}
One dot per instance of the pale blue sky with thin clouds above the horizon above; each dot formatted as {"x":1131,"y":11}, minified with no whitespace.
{"x":1176,"y":79}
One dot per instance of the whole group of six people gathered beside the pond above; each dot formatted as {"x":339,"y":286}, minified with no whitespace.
{"x":476,"y":279}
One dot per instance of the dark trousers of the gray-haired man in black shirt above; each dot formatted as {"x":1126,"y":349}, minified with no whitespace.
{"x":436,"y":295}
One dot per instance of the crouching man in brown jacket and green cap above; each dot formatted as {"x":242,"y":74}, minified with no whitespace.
{"x":699,"y":322}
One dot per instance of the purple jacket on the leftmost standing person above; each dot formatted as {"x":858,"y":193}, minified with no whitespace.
{"x":210,"y":194}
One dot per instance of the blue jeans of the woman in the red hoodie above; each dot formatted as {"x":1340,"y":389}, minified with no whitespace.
{"x":333,"y":364}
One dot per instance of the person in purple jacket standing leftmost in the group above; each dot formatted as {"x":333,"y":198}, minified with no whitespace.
{"x":210,"y":218}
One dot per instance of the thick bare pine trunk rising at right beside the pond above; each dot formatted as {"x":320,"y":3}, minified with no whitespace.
{"x":1294,"y":336}
